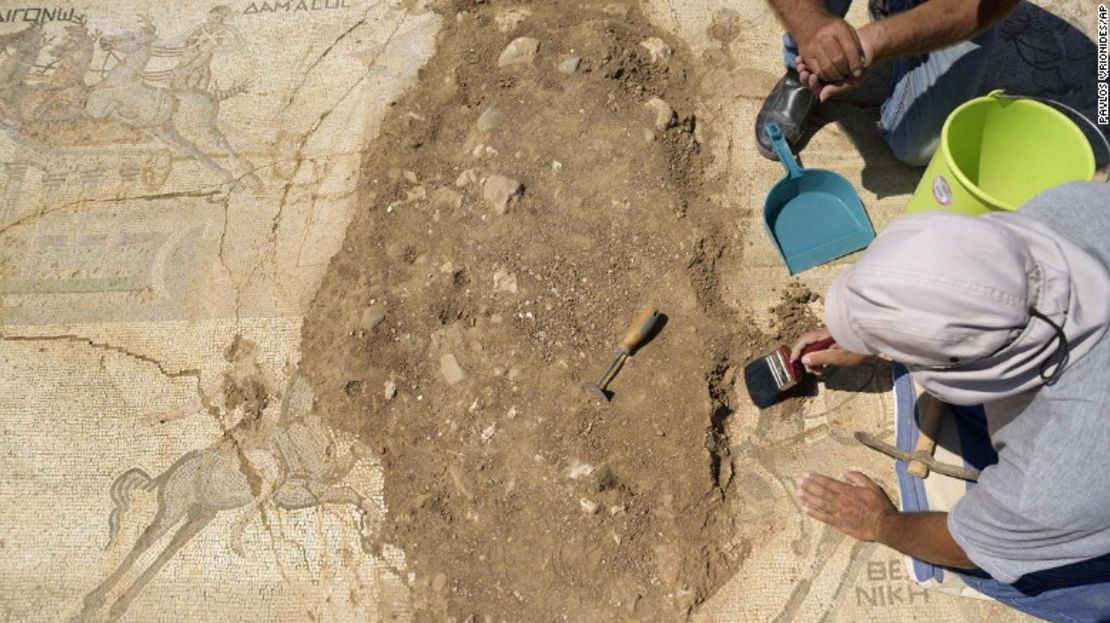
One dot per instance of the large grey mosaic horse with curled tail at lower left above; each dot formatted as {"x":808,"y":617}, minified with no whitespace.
{"x":292,"y":467}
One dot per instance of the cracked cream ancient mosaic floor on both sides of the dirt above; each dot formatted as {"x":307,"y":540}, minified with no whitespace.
{"x":164,"y":230}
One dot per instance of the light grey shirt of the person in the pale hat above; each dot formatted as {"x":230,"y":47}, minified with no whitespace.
{"x":1047,"y":503}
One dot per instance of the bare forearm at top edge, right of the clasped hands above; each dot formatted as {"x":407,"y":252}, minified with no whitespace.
{"x":935,"y":25}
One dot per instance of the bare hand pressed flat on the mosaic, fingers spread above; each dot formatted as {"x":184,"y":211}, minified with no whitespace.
{"x":856,"y":508}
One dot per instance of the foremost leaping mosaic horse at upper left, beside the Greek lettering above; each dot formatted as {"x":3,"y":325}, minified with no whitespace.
{"x":126,"y":96}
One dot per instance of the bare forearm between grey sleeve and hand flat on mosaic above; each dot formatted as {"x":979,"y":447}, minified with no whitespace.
{"x":924,"y":537}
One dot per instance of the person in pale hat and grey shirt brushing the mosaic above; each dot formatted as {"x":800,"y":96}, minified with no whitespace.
{"x":1010,"y":310}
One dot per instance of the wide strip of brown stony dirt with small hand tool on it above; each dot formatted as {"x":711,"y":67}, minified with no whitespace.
{"x":455,"y":329}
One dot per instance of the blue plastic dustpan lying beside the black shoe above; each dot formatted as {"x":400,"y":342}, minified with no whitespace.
{"x":814,"y":216}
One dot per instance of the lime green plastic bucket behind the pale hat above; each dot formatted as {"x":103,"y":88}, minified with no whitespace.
{"x":998,"y":152}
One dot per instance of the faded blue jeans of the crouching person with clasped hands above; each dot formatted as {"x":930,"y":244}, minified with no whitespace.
{"x":925,"y":88}
